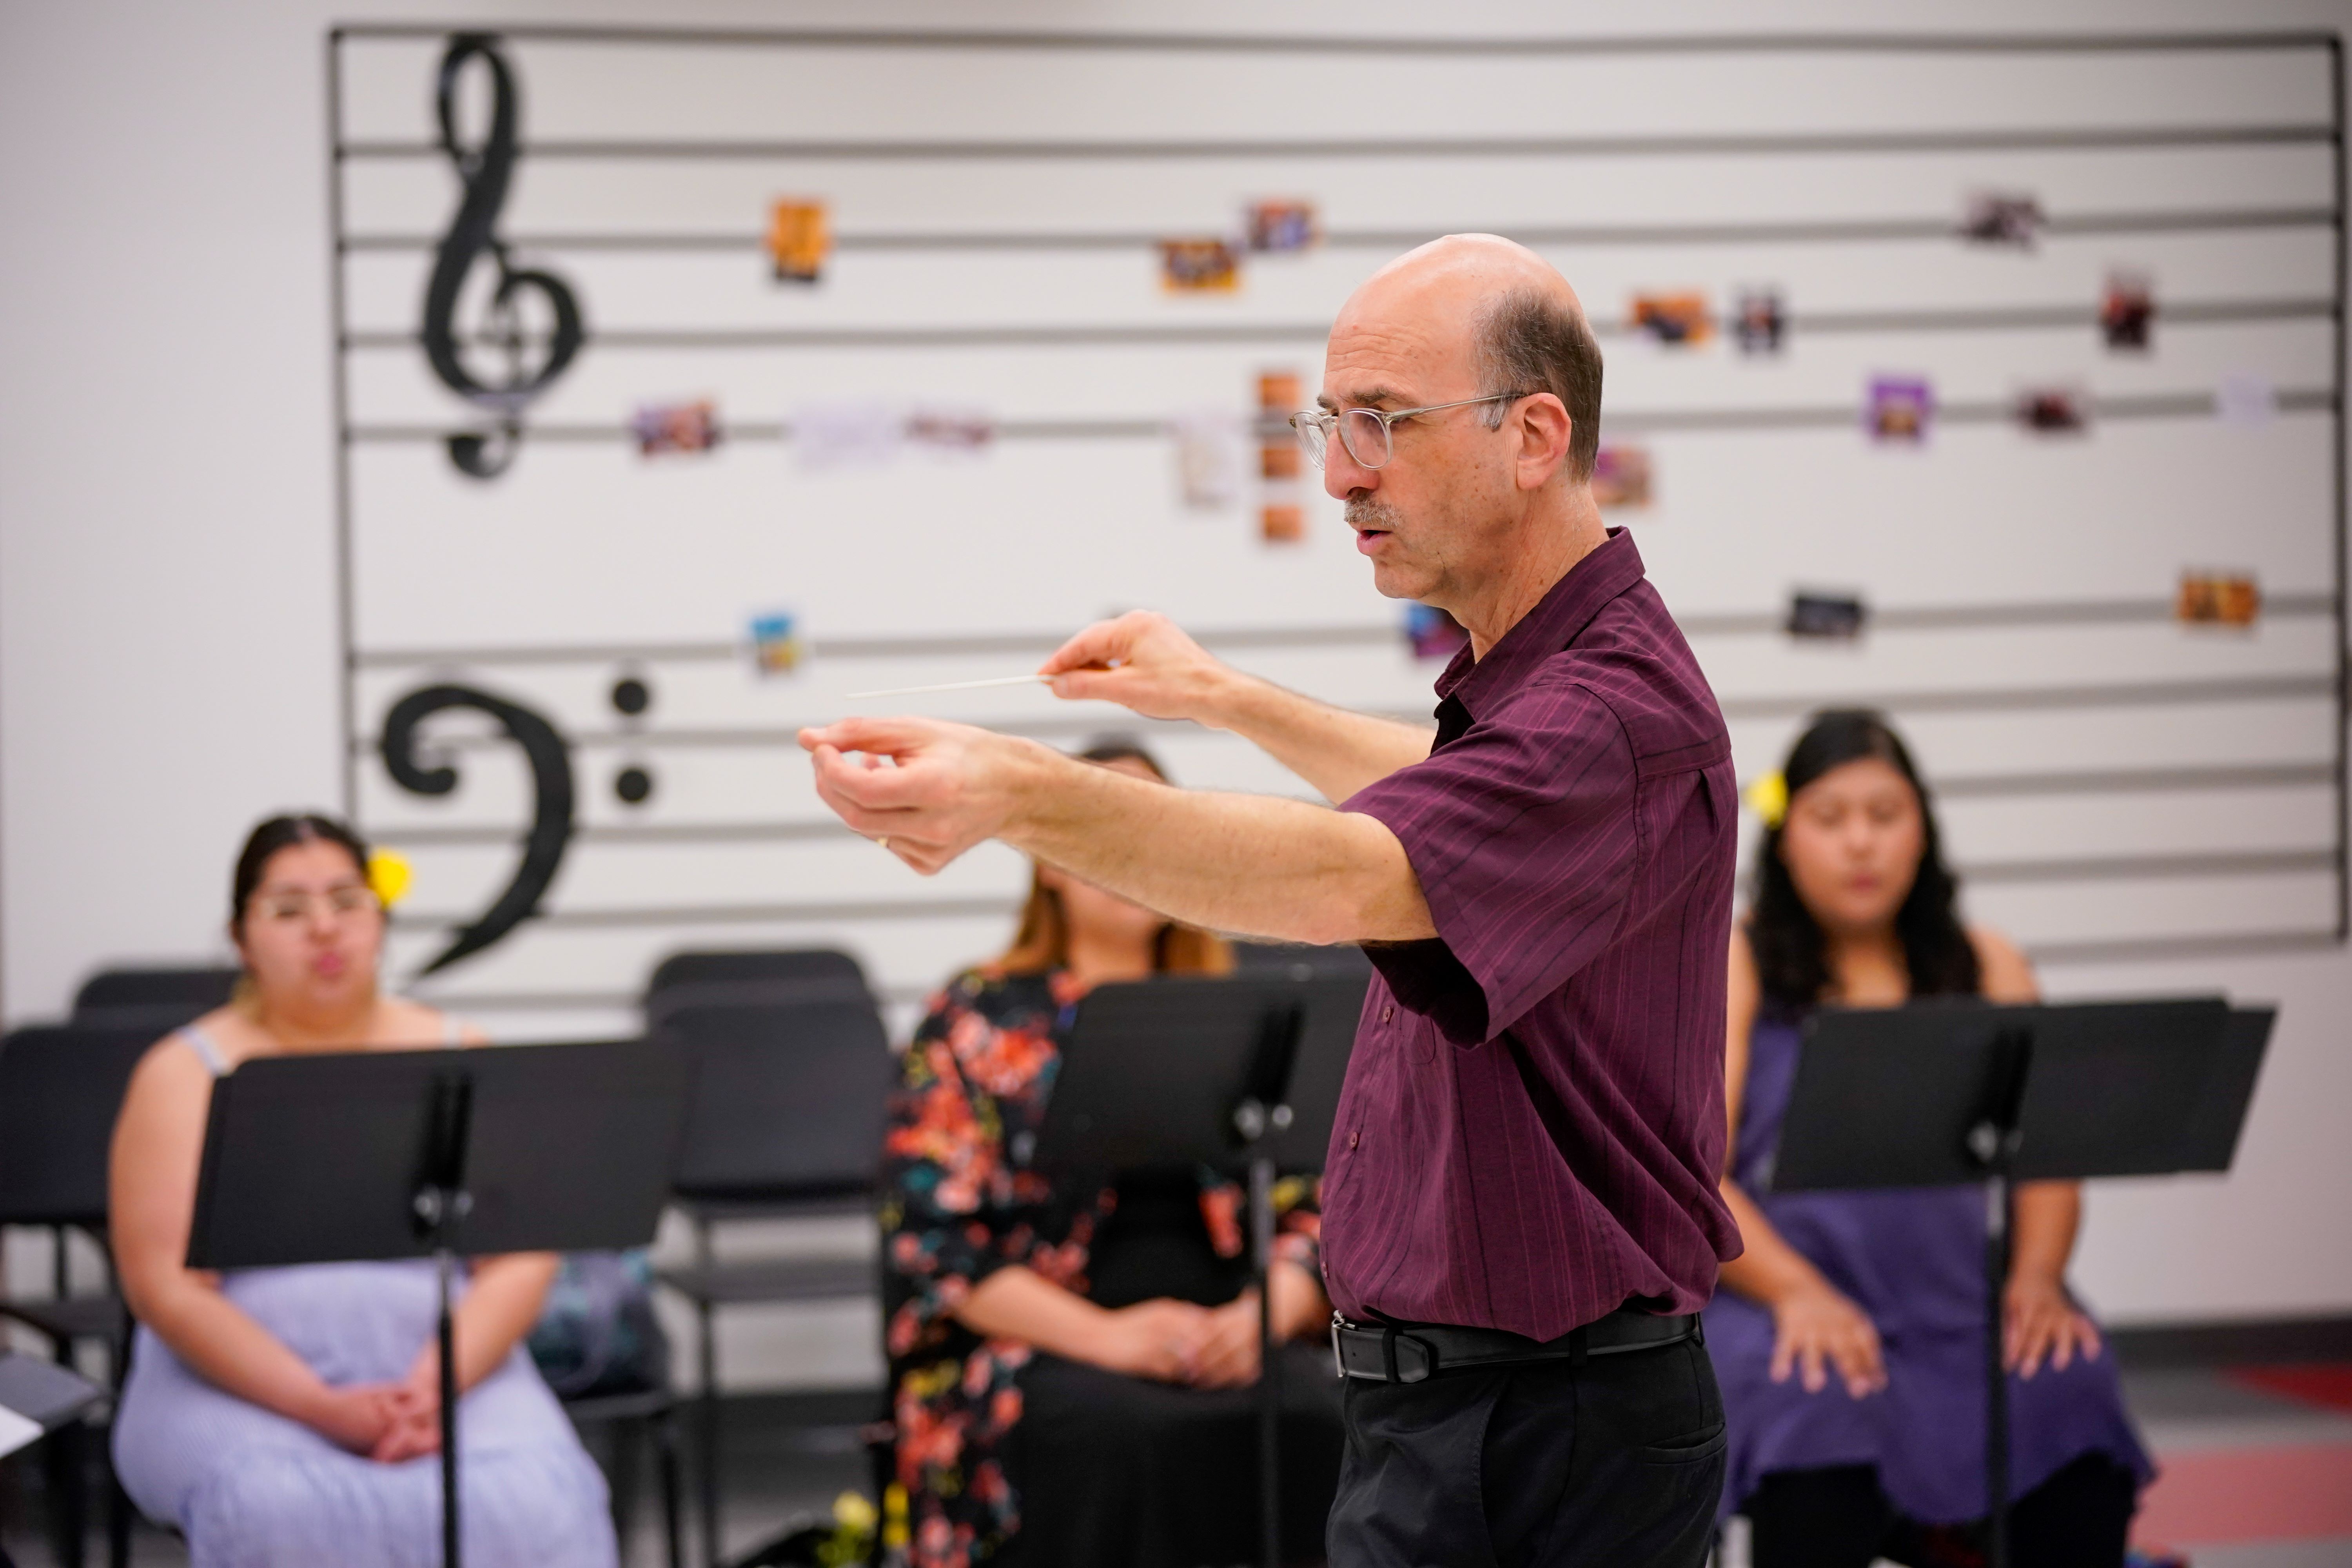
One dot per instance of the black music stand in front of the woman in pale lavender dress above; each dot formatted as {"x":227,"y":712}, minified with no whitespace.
{"x":375,"y":1155}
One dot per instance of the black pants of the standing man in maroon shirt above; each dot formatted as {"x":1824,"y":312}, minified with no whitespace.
{"x":1615,"y":1463}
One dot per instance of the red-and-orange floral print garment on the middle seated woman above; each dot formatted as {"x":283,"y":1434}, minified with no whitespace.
{"x":961,"y":1205}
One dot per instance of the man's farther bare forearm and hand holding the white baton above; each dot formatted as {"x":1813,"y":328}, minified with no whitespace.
{"x":1147,"y":664}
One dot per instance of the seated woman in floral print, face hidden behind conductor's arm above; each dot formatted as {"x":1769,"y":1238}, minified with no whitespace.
{"x":1074,"y":1369}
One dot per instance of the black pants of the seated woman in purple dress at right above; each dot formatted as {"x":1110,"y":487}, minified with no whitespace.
{"x":1838,"y":1517}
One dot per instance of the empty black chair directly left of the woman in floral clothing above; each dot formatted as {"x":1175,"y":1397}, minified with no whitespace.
{"x":791,"y":1073}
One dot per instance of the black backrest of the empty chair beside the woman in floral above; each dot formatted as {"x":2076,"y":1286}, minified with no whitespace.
{"x":789,"y":1094}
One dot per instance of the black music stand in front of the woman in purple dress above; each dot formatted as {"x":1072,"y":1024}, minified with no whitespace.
{"x":1970,"y":1094}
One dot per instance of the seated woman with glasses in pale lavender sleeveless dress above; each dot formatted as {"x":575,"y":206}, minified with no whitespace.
{"x":293,"y":1416}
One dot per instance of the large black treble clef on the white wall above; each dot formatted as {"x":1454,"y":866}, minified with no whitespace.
{"x":486,"y":173}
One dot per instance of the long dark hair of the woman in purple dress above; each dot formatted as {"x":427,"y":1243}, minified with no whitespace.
{"x":1784,"y":934}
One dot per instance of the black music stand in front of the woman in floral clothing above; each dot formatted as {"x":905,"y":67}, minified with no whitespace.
{"x":1210,"y":1073}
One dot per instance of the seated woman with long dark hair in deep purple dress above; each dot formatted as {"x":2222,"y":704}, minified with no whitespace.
{"x":1850,"y":1336}
